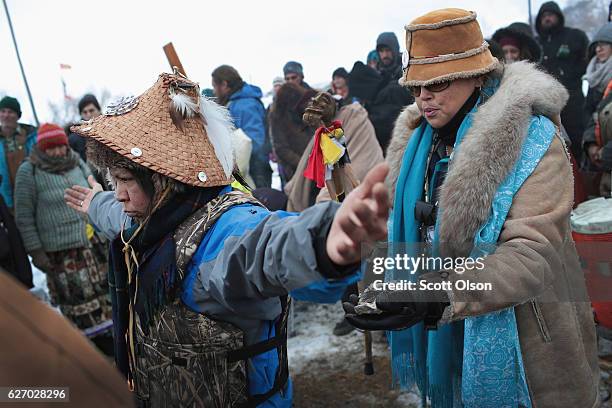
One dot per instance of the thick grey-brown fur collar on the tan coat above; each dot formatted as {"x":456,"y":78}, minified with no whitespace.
{"x":488,"y":151}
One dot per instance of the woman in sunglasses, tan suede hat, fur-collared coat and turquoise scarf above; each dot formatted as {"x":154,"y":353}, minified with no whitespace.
{"x":482,"y":181}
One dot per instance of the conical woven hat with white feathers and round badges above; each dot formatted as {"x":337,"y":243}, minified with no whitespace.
{"x":170,"y":129}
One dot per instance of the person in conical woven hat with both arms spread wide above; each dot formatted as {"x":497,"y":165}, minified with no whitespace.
{"x":199,"y":273}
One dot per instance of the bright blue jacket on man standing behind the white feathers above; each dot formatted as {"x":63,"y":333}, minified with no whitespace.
{"x":248,"y":113}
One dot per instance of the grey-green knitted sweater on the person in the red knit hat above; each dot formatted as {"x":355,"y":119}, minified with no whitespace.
{"x":43,"y":218}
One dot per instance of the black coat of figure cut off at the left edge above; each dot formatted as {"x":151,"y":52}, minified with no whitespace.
{"x":13,"y":256}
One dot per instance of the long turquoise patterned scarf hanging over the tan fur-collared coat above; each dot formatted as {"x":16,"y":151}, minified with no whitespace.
{"x":476,"y":362}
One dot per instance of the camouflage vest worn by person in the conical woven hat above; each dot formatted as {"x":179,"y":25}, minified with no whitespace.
{"x":183,"y":361}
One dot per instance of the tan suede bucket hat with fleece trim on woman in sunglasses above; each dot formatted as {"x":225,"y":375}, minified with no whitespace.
{"x":445,"y":45}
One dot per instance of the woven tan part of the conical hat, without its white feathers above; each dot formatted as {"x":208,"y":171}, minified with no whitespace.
{"x":147,"y":136}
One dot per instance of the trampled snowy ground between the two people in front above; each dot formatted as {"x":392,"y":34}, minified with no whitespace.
{"x":327,"y":370}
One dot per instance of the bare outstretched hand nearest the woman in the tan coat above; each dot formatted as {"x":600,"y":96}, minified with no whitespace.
{"x":362,"y":218}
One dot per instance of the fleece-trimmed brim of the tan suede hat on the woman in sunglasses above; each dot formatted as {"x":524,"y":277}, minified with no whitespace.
{"x":470,"y":67}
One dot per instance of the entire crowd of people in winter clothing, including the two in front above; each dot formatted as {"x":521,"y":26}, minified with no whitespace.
{"x":163,"y":241}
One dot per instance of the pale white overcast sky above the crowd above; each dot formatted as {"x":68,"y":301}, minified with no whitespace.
{"x":117,"y":44}
